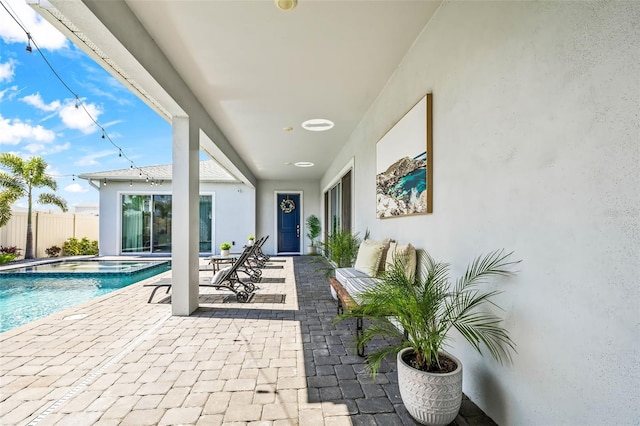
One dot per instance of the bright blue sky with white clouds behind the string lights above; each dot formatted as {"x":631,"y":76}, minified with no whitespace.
{"x":38,"y":116}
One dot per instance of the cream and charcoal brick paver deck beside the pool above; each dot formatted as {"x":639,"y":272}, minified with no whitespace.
{"x":278,"y":360}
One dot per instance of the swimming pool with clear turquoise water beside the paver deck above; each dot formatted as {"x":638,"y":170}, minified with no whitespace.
{"x":33,"y":292}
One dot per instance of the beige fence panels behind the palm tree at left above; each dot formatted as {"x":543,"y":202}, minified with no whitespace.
{"x":49,"y":229}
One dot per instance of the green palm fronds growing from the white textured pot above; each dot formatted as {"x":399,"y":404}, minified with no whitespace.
{"x":428,"y":306}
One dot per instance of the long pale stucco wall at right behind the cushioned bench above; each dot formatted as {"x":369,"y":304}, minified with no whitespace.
{"x":536,"y":150}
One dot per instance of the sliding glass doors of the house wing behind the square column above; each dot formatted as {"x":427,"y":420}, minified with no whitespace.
{"x":146,"y":223}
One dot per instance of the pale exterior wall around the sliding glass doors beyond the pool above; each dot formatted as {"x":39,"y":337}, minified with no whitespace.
{"x":234,"y":212}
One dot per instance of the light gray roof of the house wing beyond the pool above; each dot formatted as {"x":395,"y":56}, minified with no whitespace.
{"x":210,"y":171}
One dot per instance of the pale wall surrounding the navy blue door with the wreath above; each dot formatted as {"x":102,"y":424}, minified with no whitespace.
{"x":266,"y":208}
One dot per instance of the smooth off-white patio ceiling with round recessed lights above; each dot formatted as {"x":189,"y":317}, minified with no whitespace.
{"x":257,"y":69}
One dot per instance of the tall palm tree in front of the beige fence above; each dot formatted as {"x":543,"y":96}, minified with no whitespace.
{"x":19,"y":182}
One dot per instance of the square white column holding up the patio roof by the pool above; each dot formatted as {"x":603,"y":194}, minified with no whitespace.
{"x":185,"y":211}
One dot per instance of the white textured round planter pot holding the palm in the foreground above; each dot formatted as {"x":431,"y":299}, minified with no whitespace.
{"x":431,"y":399}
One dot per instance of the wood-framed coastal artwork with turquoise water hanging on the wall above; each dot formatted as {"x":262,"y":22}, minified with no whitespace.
{"x":404,"y":165}
